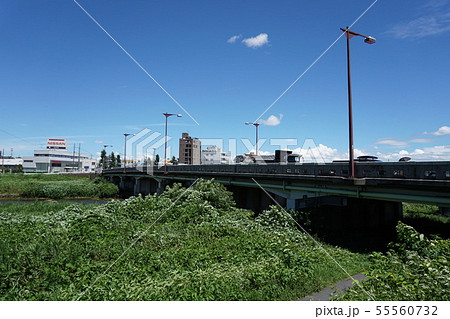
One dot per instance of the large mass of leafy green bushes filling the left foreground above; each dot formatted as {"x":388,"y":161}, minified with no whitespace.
{"x":188,"y":245}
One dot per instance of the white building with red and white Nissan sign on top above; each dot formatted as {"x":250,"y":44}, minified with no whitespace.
{"x":56,"y":158}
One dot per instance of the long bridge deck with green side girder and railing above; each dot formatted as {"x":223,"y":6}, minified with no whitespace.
{"x":402,"y":189}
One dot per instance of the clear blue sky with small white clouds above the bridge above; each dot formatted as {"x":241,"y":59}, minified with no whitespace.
{"x":63,"y":77}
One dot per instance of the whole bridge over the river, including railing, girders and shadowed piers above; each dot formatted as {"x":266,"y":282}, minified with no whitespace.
{"x":371,"y":200}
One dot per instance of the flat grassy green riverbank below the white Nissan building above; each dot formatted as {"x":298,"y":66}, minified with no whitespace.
{"x":55,"y":186}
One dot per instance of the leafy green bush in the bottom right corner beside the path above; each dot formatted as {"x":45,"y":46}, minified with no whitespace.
{"x":415,"y":268}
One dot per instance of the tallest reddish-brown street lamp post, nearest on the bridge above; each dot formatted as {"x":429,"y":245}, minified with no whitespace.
{"x":369,"y":40}
